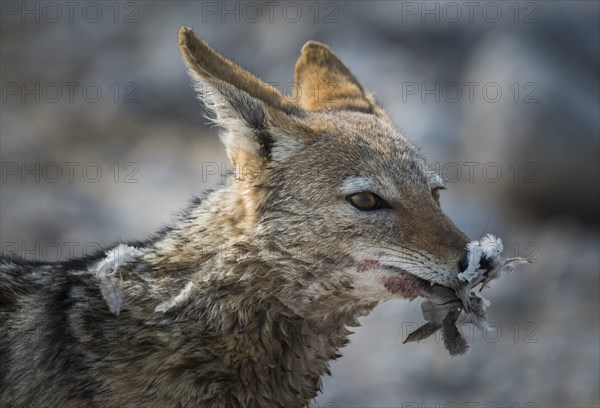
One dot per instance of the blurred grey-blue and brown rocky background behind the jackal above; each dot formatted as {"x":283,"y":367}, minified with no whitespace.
{"x":102,"y":140}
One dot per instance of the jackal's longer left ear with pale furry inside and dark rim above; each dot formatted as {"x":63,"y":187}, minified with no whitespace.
{"x":242,"y":104}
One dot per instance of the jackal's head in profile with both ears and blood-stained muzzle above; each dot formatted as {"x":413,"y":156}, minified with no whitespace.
{"x":324,"y":177}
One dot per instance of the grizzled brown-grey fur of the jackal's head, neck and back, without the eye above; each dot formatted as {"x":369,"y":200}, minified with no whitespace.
{"x":245,"y":299}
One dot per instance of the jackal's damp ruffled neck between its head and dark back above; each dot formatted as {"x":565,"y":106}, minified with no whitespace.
{"x":262,"y":314}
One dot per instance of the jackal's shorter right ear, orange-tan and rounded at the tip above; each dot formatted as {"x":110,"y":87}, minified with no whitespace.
{"x":323,"y":82}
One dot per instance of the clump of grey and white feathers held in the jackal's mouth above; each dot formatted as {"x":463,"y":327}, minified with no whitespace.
{"x":447,"y":308}
